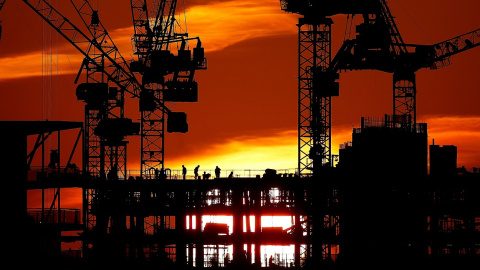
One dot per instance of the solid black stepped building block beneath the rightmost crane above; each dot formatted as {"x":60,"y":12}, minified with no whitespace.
{"x":407,"y":213}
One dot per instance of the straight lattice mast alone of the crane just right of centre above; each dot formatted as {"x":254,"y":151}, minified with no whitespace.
{"x":316,"y":87}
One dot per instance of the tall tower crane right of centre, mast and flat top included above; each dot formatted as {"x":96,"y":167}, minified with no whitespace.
{"x":316,"y":83}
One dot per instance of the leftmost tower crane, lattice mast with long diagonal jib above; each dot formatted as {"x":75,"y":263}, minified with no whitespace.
{"x":103,"y":64}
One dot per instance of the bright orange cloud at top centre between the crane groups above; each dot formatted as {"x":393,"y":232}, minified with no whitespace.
{"x":221,"y":24}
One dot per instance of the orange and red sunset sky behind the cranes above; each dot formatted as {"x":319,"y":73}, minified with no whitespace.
{"x":246,"y":117}
